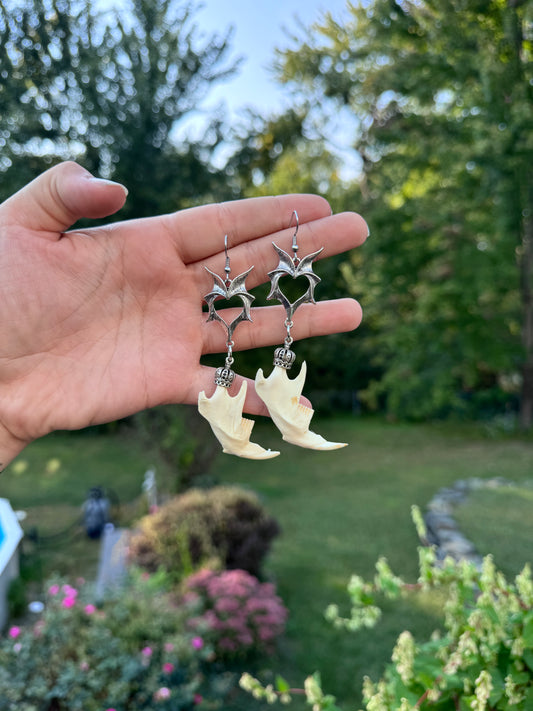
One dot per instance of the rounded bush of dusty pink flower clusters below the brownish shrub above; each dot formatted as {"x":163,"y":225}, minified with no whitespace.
{"x":236,"y":612}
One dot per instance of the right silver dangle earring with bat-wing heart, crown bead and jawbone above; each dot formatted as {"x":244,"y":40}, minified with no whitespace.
{"x":281,"y":395}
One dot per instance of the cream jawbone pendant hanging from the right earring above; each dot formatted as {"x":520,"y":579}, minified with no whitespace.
{"x":282,"y":398}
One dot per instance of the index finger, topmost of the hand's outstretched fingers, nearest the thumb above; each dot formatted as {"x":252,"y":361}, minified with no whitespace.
{"x":199,"y":231}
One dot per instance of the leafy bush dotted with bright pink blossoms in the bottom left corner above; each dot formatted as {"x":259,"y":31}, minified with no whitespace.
{"x":133,"y":653}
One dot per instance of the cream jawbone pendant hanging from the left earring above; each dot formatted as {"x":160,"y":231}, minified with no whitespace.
{"x":224,"y":414}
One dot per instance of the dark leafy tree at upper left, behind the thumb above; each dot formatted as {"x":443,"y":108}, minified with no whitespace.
{"x":107,"y":87}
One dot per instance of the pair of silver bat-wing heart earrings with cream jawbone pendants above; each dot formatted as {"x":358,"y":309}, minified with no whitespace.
{"x":280,"y":394}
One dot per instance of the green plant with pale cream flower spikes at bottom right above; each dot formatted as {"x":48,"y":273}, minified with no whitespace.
{"x":482,"y":662}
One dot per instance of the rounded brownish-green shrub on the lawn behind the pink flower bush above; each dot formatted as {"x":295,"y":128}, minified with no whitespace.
{"x":225,"y":526}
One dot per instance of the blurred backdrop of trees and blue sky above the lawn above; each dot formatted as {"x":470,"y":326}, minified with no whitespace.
{"x":416,"y":114}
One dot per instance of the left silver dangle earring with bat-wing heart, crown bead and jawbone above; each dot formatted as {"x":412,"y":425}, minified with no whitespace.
{"x":223,"y":412}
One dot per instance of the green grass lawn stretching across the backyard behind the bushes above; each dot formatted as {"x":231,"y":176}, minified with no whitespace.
{"x":339,"y":511}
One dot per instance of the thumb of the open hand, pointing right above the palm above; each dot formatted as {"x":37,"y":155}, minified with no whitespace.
{"x":59,"y":197}
